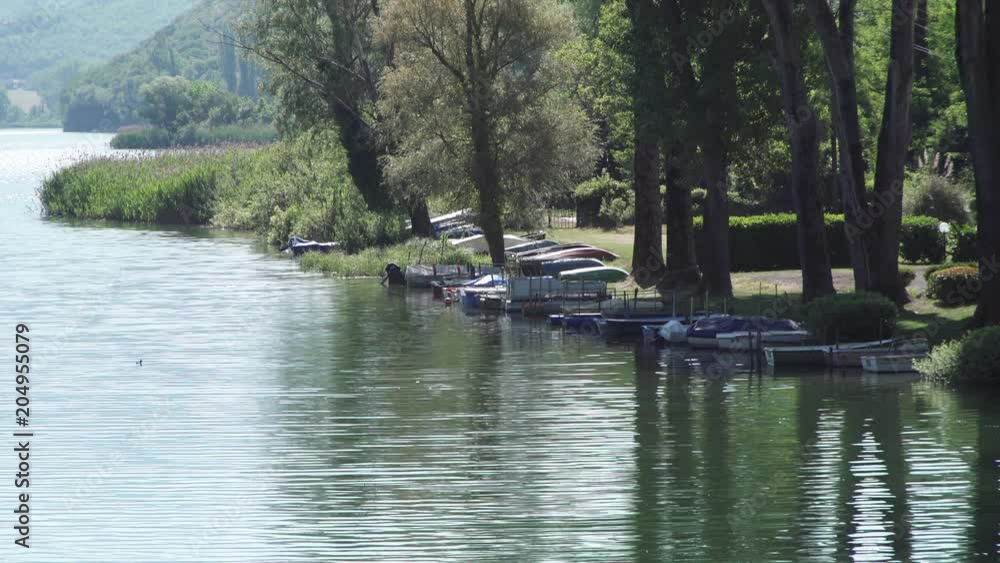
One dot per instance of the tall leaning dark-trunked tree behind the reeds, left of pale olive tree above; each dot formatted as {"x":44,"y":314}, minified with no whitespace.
{"x":324,"y":65}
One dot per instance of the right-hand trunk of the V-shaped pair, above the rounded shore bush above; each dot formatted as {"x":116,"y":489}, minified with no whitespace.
{"x":893,"y":151}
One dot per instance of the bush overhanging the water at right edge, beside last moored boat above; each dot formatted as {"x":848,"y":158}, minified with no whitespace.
{"x":973,"y":360}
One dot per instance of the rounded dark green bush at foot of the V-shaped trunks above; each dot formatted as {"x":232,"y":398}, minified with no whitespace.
{"x":852,"y":317}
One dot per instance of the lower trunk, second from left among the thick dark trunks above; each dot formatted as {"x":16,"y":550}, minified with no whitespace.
{"x":682,"y":263}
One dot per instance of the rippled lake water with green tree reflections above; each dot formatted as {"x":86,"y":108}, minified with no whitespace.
{"x":279,"y":416}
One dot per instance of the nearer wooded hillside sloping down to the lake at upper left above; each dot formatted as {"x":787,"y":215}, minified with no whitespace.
{"x":107,"y":97}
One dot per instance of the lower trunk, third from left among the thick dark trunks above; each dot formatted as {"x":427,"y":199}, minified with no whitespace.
{"x":715,"y":260}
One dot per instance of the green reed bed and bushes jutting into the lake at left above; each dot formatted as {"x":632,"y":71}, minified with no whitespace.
{"x":298,"y":187}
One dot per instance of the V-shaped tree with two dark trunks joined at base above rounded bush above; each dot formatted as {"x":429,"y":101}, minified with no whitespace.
{"x":872,"y":221}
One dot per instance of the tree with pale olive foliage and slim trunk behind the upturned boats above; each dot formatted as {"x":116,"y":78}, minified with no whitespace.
{"x":474,"y":100}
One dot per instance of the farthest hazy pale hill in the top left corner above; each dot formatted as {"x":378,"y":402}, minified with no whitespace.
{"x":36,"y":35}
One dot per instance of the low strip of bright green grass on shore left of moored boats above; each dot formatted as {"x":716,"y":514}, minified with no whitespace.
{"x":371,"y":261}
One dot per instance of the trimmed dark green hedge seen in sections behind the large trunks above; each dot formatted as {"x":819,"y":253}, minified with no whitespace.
{"x":769,"y":242}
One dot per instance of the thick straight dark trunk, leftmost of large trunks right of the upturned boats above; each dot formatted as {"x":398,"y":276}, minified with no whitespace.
{"x":648,"y":93}
